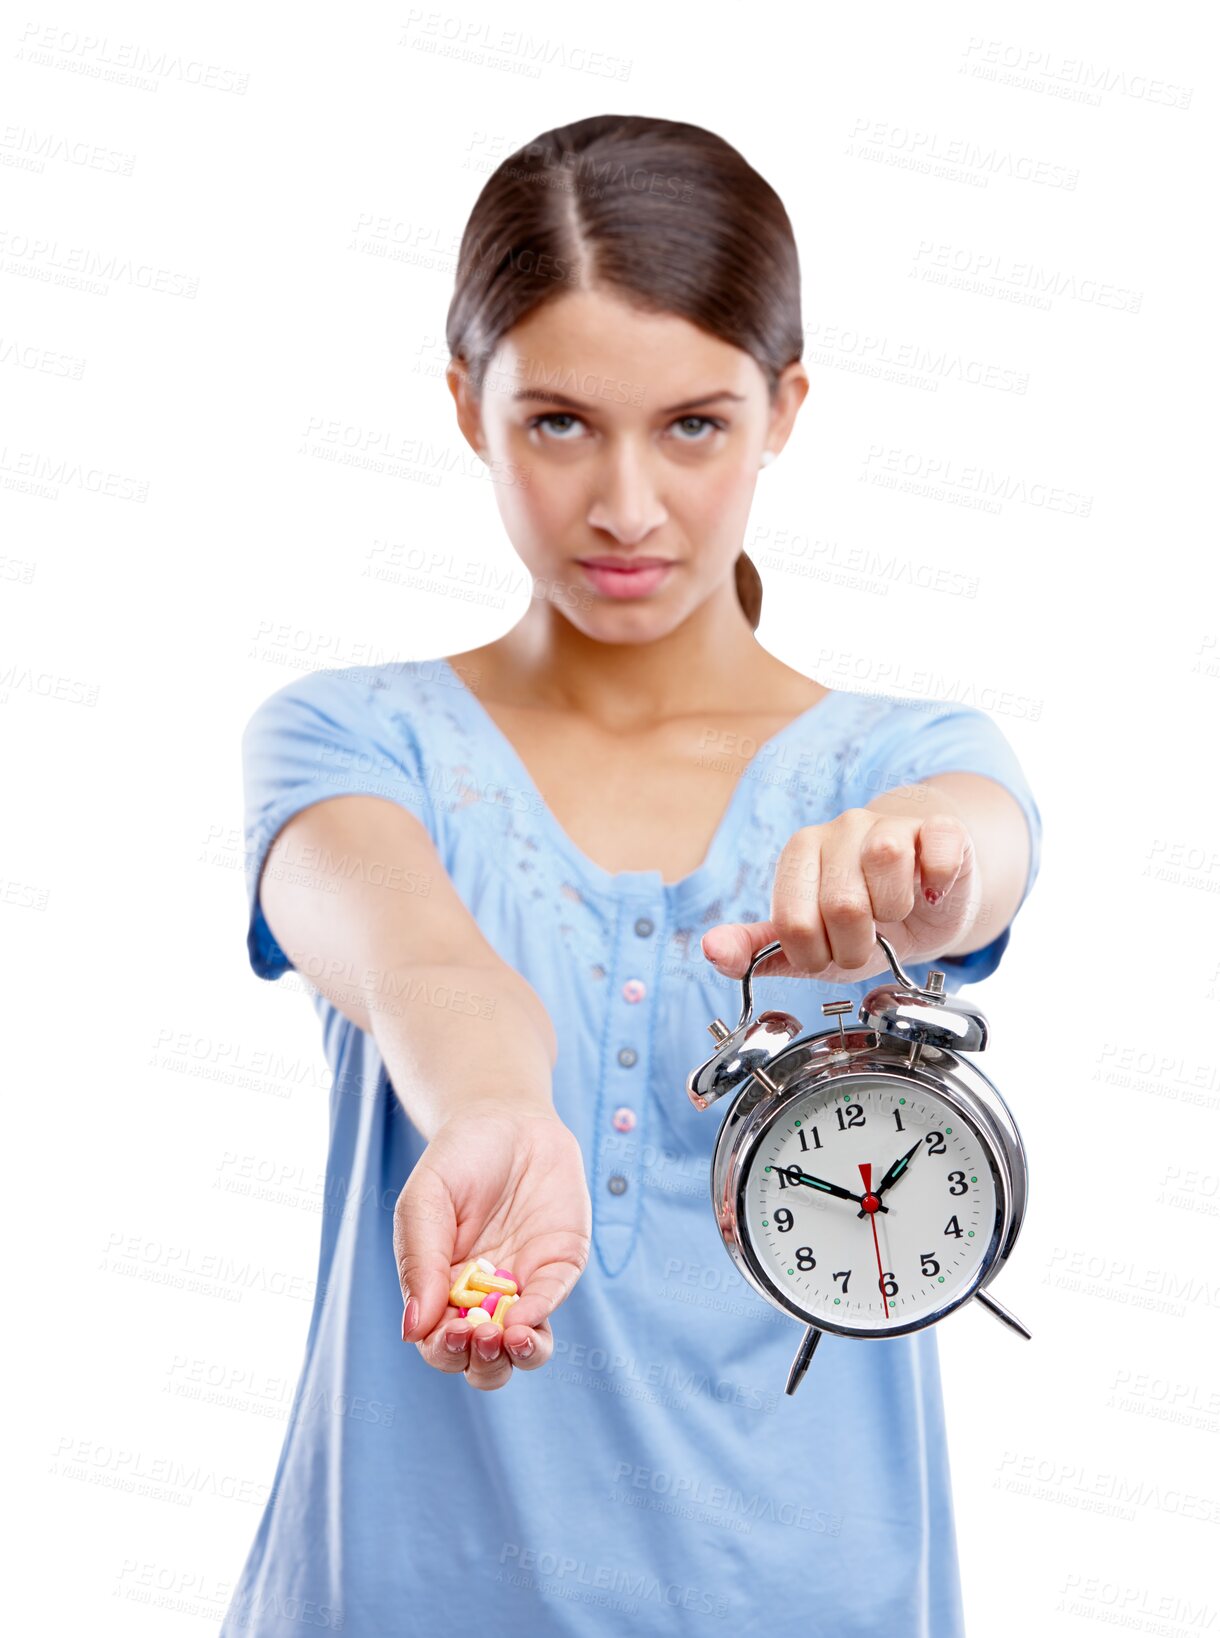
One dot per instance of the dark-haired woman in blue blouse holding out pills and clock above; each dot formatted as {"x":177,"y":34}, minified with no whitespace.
{"x":523,"y":884}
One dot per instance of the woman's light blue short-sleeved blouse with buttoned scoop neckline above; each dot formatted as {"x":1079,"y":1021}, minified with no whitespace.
{"x":654,"y":1477}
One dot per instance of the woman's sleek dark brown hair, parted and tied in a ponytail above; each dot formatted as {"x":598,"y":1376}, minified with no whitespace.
{"x":667,"y":215}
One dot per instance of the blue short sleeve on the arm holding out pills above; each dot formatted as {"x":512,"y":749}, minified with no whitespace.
{"x":325,"y":735}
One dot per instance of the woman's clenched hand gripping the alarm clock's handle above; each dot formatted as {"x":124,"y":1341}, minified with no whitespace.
{"x":841,"y":884}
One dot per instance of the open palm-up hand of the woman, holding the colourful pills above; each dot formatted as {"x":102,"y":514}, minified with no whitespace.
{"x":508,"y":1185}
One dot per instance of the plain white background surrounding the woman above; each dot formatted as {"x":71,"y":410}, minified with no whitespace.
{"x":219,"y":281}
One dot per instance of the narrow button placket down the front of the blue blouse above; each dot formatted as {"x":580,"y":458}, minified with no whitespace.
{"x":623,"y":1098}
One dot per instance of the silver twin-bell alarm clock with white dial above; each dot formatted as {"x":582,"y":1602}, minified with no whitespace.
{"x":867,"y":1180}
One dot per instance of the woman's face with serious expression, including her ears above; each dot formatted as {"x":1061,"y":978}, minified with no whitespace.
{"x":623,"y":435}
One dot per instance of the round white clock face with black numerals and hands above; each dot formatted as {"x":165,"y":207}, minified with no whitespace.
{"x":920,"y":1228}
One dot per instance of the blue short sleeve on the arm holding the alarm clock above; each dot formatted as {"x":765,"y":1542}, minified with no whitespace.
{"x":915,"y":741}
